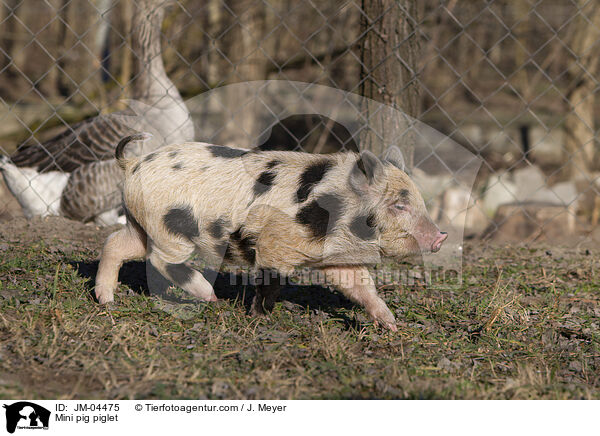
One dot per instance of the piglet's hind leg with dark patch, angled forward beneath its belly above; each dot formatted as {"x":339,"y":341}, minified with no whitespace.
{"x":174,"y":268}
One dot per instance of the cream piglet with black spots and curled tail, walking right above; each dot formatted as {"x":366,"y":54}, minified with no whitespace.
{"x":273,"y":211}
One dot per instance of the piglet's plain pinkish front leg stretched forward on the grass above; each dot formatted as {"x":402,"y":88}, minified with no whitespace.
{"x":356,"y":283}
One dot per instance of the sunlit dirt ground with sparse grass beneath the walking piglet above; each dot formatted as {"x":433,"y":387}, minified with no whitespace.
{"x":524,"y":323}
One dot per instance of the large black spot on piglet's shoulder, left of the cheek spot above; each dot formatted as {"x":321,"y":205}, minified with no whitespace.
{"x":321,"y":215}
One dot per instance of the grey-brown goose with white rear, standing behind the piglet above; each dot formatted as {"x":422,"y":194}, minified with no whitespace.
{"x":74,"y":174}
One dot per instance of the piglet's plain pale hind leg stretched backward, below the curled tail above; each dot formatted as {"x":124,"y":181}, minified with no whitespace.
{"x":126,"y":244}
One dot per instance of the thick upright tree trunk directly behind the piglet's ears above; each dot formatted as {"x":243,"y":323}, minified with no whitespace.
{"x":389,"y":55}
